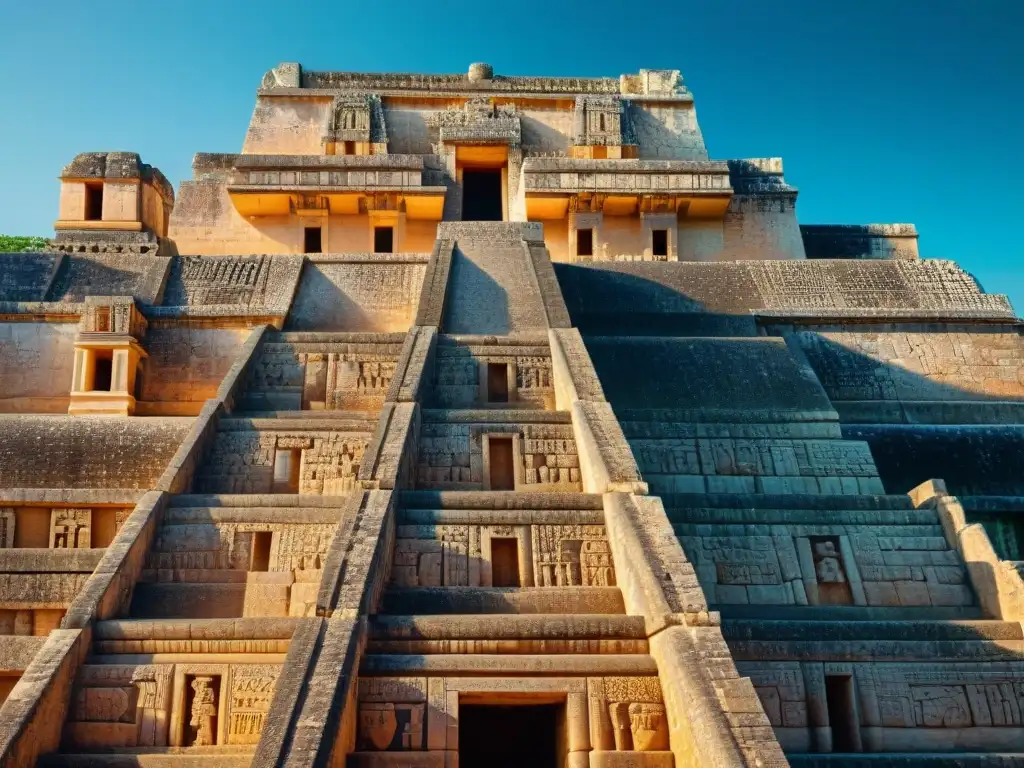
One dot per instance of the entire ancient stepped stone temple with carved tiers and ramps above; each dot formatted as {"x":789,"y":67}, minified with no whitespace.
{"x":474,"y":420}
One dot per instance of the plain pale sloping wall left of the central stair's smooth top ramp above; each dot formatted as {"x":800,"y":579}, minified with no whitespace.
{"x":375,"y":293}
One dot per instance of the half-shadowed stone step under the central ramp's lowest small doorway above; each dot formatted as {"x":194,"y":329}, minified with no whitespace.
{"x":474,"y":601}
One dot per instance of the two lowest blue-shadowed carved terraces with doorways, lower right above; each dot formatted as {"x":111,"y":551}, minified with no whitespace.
{"x":859,"y":626}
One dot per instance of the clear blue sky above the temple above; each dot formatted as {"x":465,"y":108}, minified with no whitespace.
{"x":883,"y":111}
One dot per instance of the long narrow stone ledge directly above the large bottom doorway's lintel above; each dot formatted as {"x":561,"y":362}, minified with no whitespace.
{"x":518,"y":665}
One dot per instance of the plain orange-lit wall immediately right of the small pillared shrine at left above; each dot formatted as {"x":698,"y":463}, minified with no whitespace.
{"x":187,"y":364}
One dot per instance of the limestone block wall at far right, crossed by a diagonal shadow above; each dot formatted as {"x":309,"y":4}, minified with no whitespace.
{"x":916,"y":363}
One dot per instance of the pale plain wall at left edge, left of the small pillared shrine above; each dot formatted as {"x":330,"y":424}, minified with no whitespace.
{"x":36,"y":365}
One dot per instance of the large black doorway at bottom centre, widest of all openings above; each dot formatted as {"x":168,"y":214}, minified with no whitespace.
{"x":509,"y":737}
